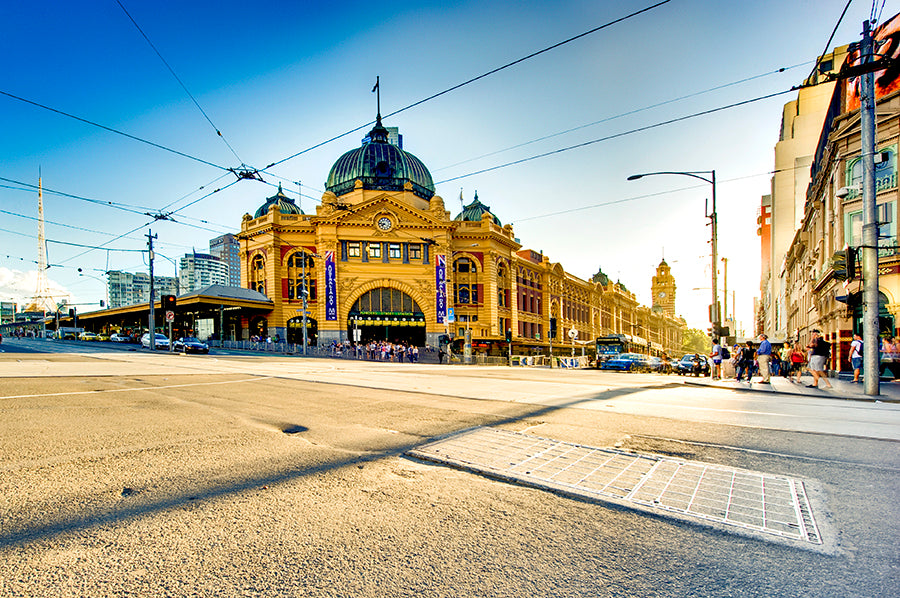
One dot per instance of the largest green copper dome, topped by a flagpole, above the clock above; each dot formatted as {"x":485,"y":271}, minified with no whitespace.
{"x":381,"y":165}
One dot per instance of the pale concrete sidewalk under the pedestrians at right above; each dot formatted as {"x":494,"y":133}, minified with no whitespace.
{"x":843,"y":389}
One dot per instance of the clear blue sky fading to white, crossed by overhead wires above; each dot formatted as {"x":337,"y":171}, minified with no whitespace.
{"x":277,"y":78}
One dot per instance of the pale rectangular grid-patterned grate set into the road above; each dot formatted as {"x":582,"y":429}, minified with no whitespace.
{"x":750,"y":500}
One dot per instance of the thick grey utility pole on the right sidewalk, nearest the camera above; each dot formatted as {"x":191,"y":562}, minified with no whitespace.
{"x":870,"y":223}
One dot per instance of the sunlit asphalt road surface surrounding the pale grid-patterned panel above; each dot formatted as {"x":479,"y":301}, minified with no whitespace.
{"x":131,"y":473}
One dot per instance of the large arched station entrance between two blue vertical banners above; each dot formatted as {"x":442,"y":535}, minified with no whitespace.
{"x":386,"y":314}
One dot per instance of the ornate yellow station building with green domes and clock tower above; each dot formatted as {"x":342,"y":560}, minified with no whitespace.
{"x":384,"y":260}
